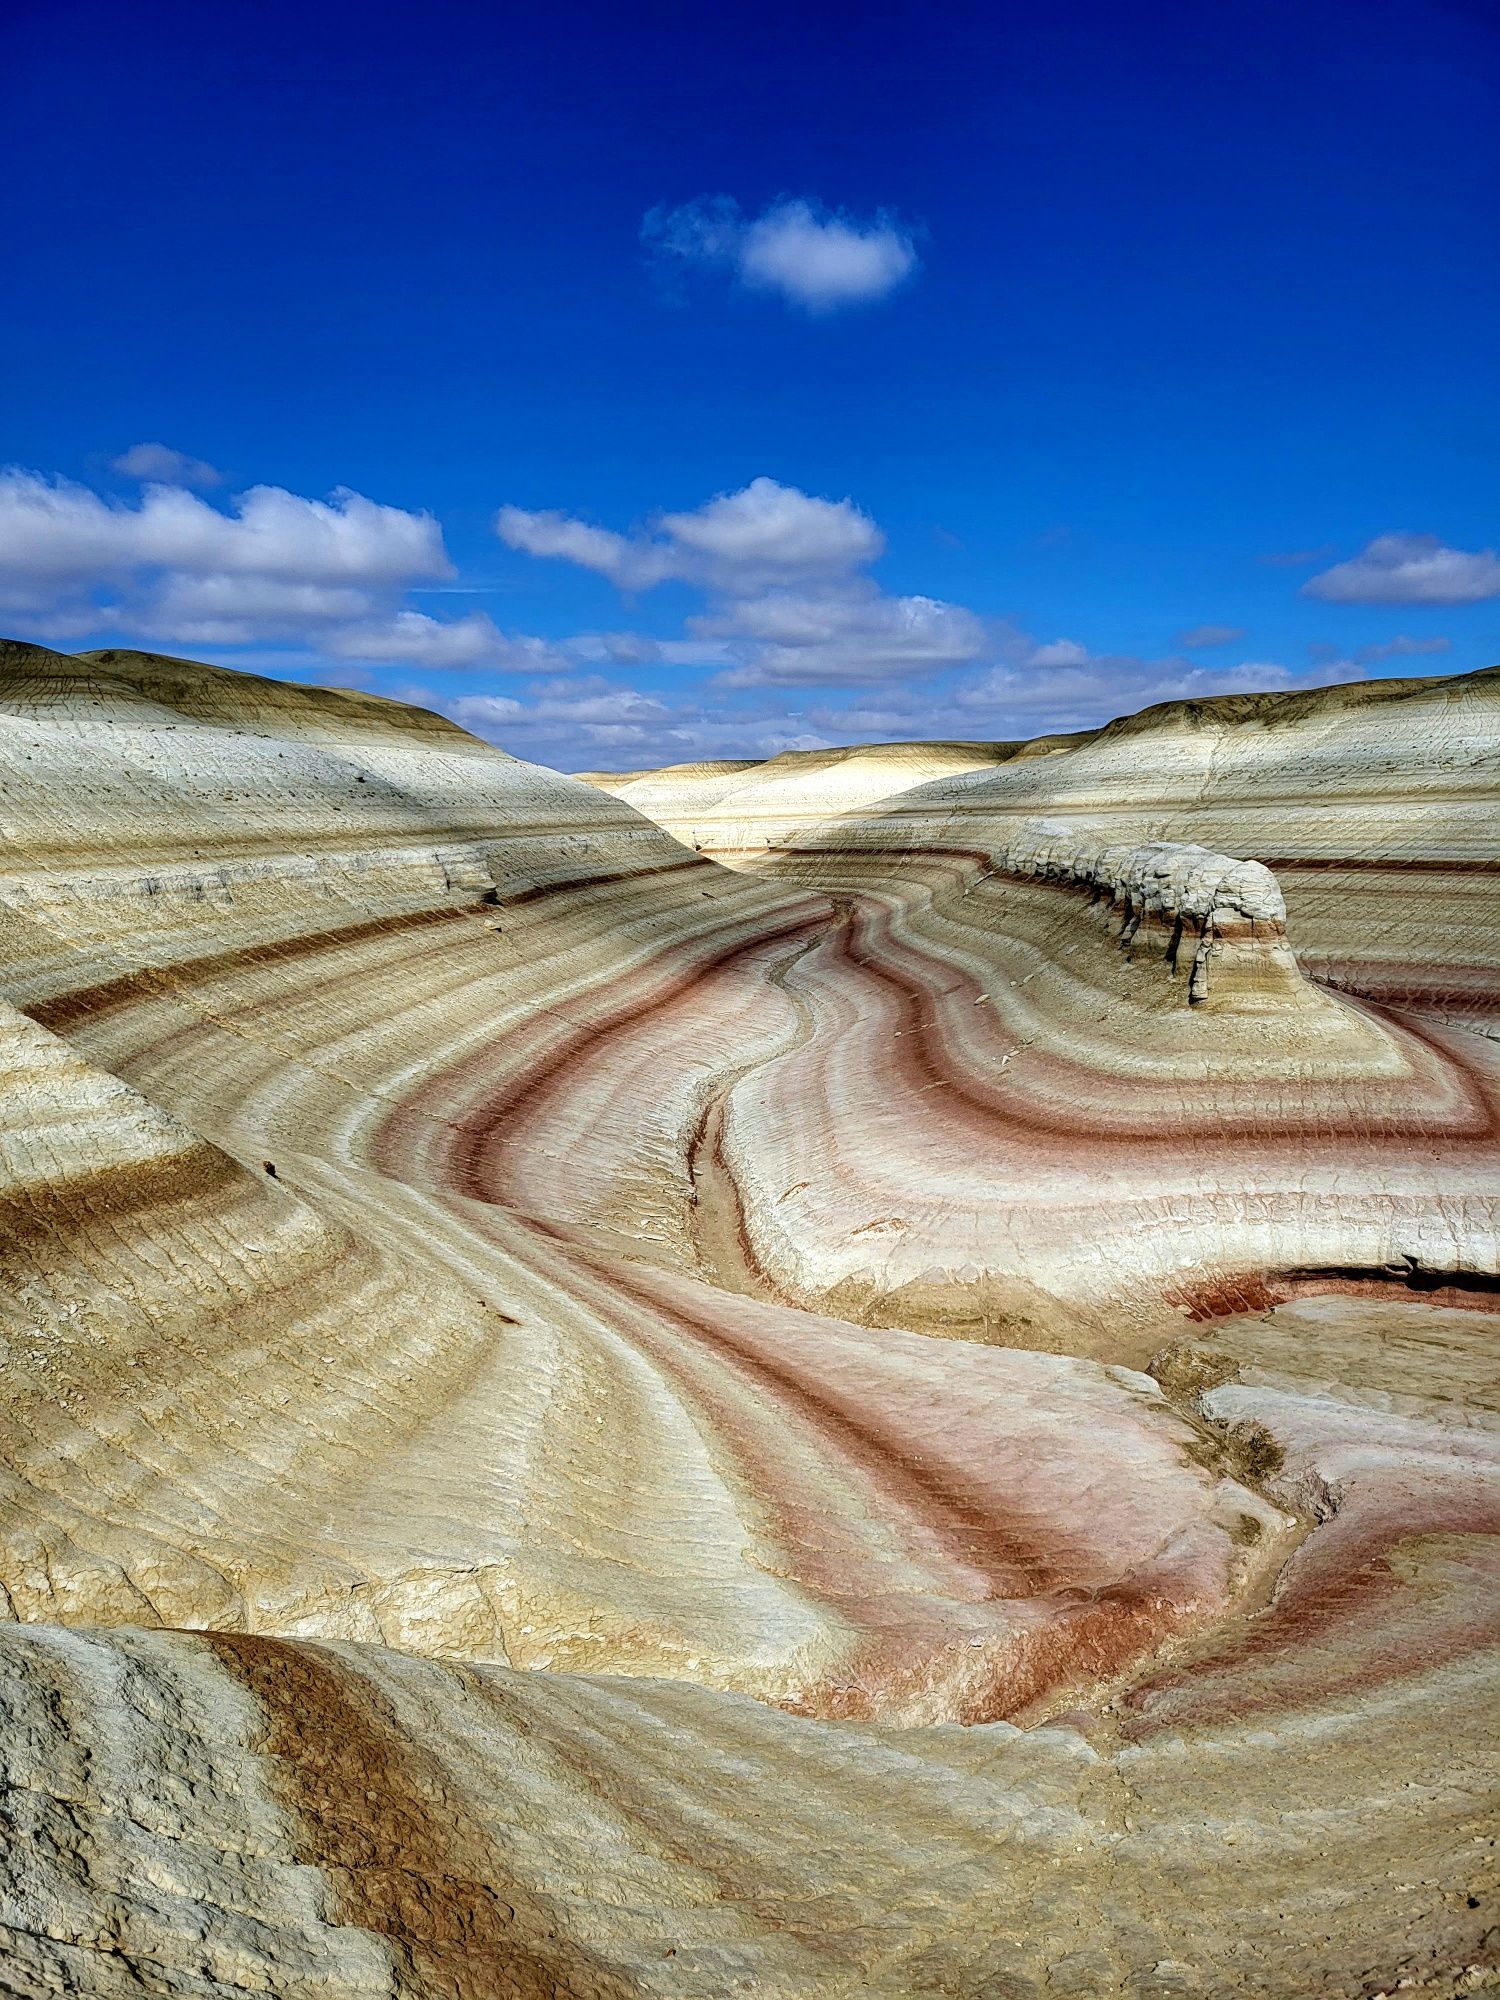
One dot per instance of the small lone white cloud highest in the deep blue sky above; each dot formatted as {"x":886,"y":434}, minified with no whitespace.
{"x":813,"y":257}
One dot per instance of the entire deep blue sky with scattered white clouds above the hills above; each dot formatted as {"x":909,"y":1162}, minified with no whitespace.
{"x":667,"y":383}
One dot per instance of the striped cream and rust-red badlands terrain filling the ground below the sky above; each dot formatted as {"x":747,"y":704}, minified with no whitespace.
{"x":863,"y":1375}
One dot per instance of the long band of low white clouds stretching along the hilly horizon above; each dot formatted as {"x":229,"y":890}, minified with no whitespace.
{"x":789,"y":639}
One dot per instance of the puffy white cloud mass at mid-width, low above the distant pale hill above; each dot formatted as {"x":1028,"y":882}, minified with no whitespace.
{"x":785,"y":577}
